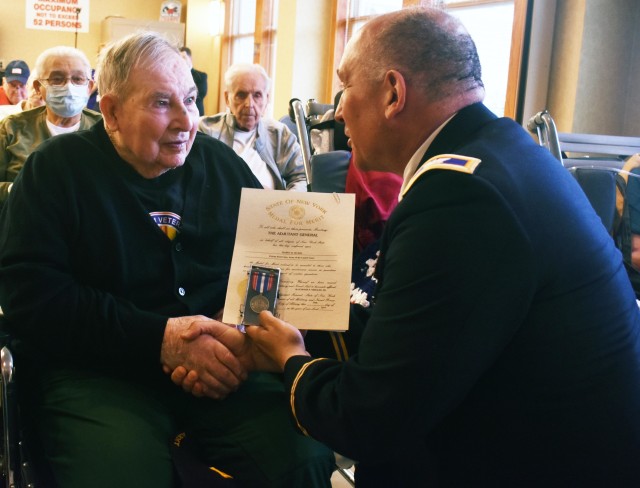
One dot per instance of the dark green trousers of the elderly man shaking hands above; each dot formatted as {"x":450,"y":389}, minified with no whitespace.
{"x":98,"y":431}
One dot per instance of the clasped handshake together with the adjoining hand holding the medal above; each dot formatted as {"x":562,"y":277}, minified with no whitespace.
{"x":210,"y":358}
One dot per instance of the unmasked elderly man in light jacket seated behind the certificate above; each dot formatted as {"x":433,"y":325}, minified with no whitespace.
{"x":268,"y":146}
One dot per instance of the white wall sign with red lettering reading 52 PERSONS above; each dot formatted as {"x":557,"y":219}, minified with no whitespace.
{"x":58,"y":15}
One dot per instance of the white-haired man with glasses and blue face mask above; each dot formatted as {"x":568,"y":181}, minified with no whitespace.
{"x":64,"y":83}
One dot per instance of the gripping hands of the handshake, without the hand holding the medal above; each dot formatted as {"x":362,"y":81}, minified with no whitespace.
{"x":204,"y":349}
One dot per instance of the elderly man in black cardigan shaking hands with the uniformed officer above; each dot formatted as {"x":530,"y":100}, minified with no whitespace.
{"x":129,"y":241}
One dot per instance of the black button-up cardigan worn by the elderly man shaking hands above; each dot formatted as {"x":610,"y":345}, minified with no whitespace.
{"x":86,"y":275}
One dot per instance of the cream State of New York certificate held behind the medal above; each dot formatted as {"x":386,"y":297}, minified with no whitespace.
{"x":309,"y":238}
